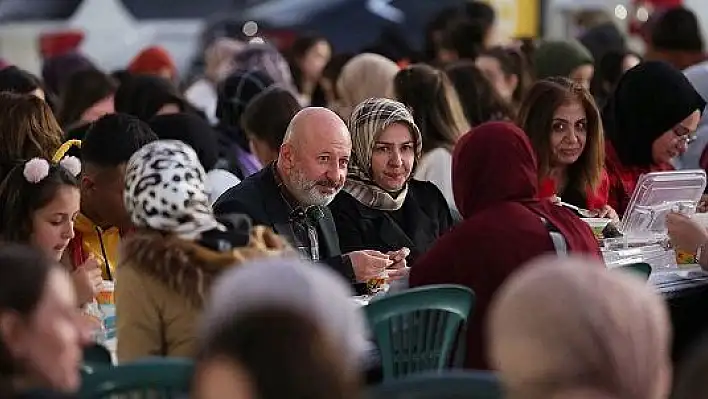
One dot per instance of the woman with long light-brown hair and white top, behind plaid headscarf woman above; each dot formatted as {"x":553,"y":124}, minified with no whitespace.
{"x":437,"y":111}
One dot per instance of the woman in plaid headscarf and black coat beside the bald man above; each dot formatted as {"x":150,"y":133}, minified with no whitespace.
{"x":382,"y":207}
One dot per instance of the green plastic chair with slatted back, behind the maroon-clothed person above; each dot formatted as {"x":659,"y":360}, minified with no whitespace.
{"x":416,"y":329}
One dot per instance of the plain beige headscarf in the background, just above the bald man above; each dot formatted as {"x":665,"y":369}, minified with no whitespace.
{"x":364,"y":76}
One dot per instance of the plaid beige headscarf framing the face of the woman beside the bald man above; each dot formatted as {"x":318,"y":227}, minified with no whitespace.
{"x":367,"y":121}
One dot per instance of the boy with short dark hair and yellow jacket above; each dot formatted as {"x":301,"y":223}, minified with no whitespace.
{"x":106,"y":149}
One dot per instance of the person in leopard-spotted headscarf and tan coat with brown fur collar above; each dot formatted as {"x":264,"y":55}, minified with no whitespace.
{"x":168,"y":265}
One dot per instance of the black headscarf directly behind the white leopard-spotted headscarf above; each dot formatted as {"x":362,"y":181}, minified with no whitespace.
{"x":191,"y":130}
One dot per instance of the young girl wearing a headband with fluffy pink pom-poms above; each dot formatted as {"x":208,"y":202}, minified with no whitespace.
{"x":39,"y":201}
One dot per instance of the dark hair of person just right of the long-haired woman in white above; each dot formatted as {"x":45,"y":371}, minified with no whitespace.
{"x":479,"y":99}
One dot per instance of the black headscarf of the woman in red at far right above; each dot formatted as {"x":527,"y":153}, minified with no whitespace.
{"x":649,"y":100}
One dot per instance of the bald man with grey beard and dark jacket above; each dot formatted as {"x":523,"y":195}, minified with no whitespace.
{"x":291,"y":195}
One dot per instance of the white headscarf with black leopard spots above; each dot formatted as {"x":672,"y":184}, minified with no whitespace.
{"x":165,"y":190}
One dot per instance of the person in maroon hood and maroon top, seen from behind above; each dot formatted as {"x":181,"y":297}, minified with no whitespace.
{"x":495,"y":183}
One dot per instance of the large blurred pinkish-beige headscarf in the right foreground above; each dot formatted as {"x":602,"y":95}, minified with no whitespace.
{"x":561,"y":329}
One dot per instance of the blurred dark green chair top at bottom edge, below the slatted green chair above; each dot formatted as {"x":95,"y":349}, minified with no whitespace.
{"x":447,"y":385}
